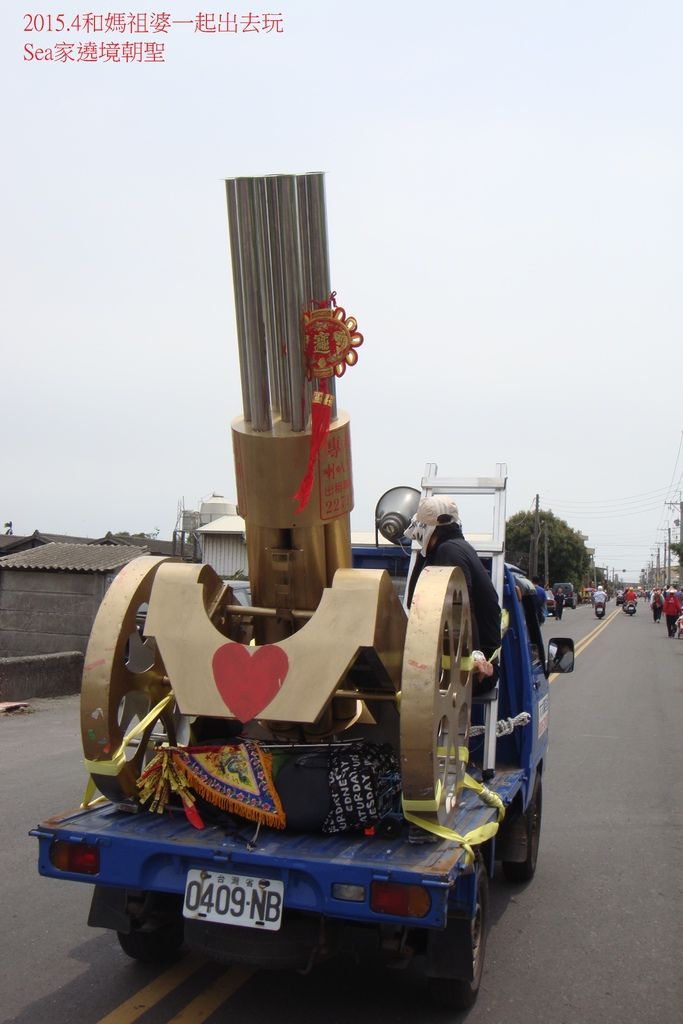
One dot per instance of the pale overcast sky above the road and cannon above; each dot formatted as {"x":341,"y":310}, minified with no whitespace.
{"x":504,"y":207}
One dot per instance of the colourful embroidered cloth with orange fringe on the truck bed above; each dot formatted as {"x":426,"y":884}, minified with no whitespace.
{"x":235,"y":778}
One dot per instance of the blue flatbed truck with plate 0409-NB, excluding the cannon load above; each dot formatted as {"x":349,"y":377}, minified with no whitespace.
{"x":289,"y":899}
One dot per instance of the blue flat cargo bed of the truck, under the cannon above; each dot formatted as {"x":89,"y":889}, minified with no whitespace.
{"x":155,"y":852}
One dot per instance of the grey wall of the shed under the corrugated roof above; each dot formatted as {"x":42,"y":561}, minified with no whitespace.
{"x":48,"y":612}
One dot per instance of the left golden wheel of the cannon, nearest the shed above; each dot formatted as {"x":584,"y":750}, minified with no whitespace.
{"x":123,"y":680}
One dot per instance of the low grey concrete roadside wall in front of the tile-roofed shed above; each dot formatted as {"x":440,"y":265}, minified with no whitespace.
{"x":41,"y":676}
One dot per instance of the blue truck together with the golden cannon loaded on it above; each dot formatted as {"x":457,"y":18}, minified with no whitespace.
{"x":443,"y":785}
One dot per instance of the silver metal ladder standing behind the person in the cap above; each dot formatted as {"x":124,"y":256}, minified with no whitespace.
{"x":488,"y":547}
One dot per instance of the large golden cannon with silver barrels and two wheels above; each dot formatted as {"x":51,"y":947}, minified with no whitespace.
{"x":323,"y":649}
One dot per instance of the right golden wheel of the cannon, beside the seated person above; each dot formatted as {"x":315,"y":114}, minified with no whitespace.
{"x":436,"y":696}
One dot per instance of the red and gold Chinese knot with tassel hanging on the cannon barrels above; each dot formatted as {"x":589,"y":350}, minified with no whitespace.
{"x":331,"y":340}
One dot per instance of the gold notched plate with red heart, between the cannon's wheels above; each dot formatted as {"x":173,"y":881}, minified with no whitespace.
{"x":292,"y":680}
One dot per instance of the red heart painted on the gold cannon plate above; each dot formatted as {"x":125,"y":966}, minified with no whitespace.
{"x":248,"y":684}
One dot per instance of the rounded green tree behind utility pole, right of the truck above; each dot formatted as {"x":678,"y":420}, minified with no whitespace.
{"x":568,"y":559}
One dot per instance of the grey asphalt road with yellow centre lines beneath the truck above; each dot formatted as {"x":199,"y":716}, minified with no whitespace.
{"x":595,"y":937}
